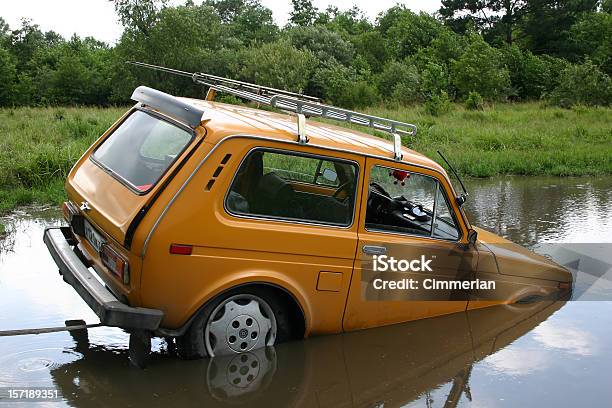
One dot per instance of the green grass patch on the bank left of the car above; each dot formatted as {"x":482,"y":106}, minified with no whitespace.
{"x":38,"y":146}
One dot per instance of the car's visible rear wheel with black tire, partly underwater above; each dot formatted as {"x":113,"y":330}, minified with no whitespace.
{"x":194,"y":344}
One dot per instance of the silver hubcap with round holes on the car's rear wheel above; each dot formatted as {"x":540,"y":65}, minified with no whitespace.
{"x":240,"y":323}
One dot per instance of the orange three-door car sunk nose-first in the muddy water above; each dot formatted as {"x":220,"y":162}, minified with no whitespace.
{"x":231,"y":228}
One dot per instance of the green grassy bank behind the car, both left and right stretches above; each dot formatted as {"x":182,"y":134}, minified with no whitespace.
{"x":39,"y":145}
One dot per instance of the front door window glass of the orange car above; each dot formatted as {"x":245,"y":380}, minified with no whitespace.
{"x":405,"y":202}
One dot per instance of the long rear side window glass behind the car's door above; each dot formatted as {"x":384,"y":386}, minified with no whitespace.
{"x":264,"y":187}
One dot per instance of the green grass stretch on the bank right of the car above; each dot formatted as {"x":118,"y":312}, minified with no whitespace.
{"x":519,"y":139}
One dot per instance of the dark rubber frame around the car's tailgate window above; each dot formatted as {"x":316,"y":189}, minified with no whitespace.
{"x":123,"y":180}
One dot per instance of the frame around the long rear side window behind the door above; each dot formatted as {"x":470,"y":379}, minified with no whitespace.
{"x":294,"y":220}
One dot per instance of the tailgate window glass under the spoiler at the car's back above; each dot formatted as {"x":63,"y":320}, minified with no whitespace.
{"x":141,"y":149}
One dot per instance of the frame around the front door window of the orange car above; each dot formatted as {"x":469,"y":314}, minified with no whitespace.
{"x":439,"y":186}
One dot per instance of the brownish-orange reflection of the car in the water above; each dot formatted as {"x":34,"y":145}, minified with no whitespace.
{"x":388,"y":366}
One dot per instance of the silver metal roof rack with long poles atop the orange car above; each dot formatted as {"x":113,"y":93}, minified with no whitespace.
{"x":302,"y":105}
